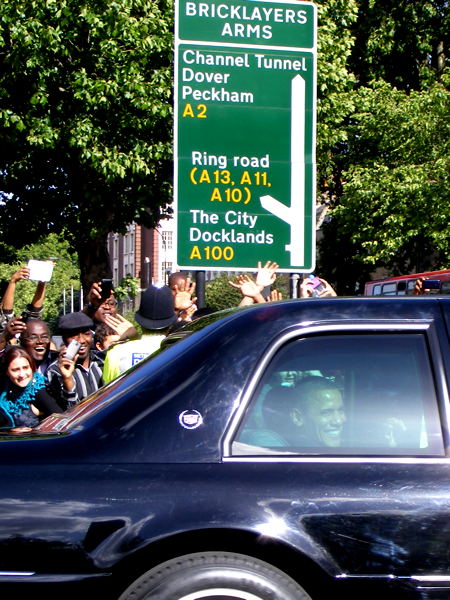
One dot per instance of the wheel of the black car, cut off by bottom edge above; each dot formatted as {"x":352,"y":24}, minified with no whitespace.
{"x":215,"y":576}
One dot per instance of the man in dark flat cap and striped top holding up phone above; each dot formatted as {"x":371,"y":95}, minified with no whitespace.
{"x":72,"y":379}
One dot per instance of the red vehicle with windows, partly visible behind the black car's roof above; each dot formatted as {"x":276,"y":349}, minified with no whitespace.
{"x":403,"y":285}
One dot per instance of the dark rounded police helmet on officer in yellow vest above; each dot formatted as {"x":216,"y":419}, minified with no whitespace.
{"x":156,"y":310}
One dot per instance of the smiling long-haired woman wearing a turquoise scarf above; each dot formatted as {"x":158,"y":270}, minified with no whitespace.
{"x":24,"y":399}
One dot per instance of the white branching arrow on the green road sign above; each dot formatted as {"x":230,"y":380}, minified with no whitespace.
{"x":294,"y":214}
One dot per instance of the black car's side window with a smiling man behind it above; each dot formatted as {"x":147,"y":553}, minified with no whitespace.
{"x":345,"y":394}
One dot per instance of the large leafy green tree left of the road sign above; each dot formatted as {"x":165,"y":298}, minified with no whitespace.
{"x":85,"y":120}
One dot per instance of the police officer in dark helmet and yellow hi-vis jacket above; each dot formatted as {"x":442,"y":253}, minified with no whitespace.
{"x":156,"y":315}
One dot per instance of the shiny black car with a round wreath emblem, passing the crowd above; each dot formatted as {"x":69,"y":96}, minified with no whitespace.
{"x":290,"y":450}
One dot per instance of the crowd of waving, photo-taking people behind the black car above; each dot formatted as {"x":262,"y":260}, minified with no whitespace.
{"x":38,"y":379}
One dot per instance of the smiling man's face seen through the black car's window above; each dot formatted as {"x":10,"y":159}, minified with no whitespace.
{"x":325,"y":410}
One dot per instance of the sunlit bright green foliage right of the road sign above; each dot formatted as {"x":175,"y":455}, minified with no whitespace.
{"x":397,"y":180}
